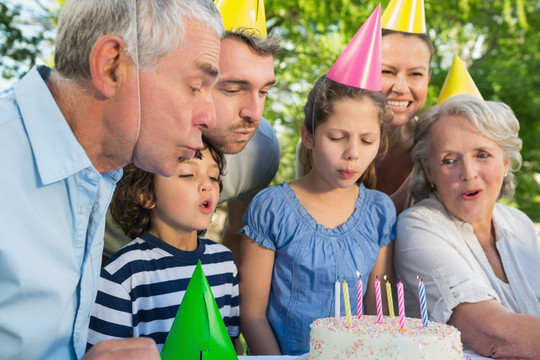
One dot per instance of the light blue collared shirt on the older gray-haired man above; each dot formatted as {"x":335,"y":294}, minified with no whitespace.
{"x":53,"y":204}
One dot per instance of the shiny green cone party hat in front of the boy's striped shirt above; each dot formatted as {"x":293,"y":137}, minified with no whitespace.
{"x":198,"y":331}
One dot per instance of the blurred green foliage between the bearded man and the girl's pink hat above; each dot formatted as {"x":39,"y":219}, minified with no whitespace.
{"x":314,"y":34}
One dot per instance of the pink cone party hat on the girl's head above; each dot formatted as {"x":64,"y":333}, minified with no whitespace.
{"x":359,"y":65}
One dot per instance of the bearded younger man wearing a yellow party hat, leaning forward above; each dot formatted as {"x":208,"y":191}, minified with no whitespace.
{"x":252,"y":150}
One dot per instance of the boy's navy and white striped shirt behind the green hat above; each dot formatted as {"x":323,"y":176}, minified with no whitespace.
{"x":143,"y":284}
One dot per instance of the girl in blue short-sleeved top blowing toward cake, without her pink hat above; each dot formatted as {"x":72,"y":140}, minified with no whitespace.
{"x":300,"y":237}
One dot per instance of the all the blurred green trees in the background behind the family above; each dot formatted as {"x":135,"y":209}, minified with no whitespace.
{"x":497,"y":39}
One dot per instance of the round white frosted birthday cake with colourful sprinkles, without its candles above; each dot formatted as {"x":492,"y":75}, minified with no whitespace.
{"x":367,"y":339}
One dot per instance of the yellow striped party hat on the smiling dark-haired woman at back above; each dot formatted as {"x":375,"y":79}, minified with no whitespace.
{"x":405,"y":16}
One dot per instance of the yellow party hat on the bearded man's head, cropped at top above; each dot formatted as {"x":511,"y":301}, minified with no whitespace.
{"x":243,"y":14}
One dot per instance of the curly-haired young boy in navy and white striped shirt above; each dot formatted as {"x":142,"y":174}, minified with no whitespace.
{"x":143,"y":284}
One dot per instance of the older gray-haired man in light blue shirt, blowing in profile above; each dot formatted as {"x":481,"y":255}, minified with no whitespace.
{"x":132,"y":82}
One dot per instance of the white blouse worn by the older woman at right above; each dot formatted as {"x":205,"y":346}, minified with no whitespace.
{"x":445,"y":253}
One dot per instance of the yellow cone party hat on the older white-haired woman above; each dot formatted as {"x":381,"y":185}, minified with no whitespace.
{"x":458,"y":81}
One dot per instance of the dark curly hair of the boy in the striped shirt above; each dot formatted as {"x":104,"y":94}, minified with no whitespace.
{"x":135,"y":193}
